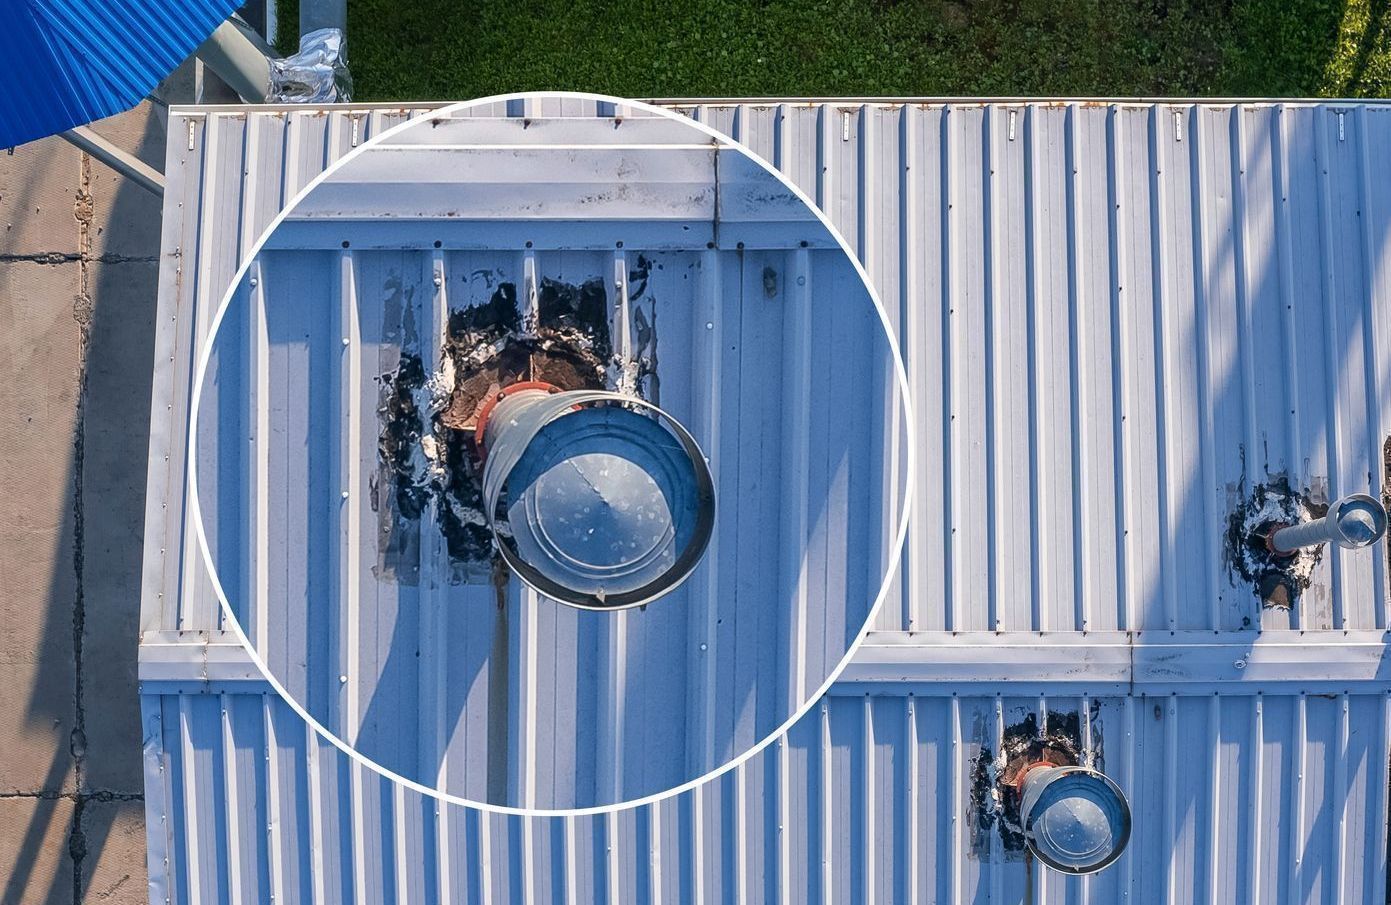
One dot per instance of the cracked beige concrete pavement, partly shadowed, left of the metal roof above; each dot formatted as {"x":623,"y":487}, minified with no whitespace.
{"x":79,"y":261}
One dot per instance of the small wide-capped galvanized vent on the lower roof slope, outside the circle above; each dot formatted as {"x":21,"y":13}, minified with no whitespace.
{"x":1075,"y":820}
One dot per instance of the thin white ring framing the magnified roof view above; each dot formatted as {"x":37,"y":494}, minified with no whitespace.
{"x":895,"y":553}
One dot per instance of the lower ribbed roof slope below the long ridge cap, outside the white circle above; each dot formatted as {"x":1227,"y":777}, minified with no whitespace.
{"x":1236,"y":799}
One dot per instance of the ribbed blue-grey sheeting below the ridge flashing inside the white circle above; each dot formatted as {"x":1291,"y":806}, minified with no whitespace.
{"x":595,"y":707}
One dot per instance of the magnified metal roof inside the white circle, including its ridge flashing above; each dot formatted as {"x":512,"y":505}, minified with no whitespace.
{"x":521,"y":701}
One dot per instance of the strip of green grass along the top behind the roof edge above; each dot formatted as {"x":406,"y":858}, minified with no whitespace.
{"x":460,"y":49}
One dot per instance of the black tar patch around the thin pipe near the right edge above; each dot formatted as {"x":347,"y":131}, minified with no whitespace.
{"x":1278,"y":582}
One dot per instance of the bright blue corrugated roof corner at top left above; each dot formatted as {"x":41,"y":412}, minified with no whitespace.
{"x":66,"y":63}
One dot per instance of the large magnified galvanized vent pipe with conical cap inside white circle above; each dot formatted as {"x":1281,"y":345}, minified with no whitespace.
{"x":610,"y":503}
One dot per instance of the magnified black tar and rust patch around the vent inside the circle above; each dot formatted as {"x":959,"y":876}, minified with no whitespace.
{"x":428,"y":448}
